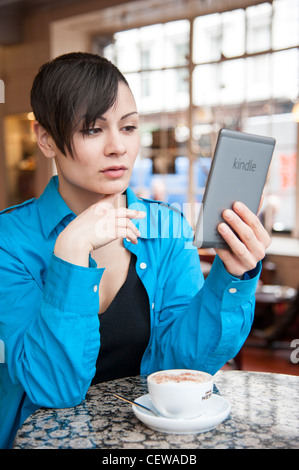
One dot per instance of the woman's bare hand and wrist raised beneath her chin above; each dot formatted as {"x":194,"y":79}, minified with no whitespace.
{"x":97,"y":226}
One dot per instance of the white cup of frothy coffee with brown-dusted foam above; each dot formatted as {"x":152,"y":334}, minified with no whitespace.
{"x":180,"y":393}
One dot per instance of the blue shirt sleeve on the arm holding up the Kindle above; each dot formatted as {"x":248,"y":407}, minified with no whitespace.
{"x":201,"y":323}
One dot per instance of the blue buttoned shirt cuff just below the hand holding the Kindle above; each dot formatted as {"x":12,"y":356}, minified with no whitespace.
{"x":232,"y":291}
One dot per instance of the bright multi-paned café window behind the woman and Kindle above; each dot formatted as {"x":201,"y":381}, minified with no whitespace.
{"x":243,"y":75}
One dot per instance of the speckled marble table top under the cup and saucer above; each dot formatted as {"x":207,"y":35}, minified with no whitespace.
{"x":264,"y":414}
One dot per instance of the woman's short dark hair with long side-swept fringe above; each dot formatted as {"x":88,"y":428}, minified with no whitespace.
{"x":72,"y":88}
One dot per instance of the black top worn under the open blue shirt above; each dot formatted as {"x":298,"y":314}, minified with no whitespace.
{"x":125,"y":330}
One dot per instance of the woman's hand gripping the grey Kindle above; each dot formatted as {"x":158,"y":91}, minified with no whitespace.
{"x":247,"y":250}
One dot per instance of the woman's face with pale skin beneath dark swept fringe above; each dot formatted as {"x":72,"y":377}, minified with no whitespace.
{"x":104,"y":155}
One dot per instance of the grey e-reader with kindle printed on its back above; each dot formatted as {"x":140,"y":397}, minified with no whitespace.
{"x":238,"y":172}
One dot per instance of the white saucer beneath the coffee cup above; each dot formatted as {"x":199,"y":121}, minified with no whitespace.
{"x":216,"y":411}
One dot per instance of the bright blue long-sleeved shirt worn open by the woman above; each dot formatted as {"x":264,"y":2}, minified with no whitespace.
{"x":49,"y":323}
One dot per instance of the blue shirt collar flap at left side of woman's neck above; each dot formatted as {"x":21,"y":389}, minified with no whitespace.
{"x":52,"y":207}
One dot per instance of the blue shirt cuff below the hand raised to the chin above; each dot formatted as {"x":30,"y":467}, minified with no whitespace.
{"x":72,"y":288}
